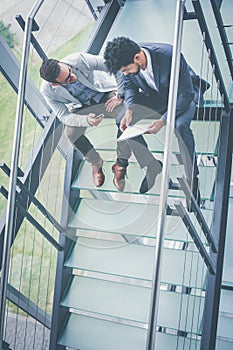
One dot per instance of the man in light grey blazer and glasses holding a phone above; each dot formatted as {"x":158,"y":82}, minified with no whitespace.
{"x":78,"y":88}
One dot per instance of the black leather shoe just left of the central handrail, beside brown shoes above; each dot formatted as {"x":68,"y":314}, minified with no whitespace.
{"x":153,"y":169}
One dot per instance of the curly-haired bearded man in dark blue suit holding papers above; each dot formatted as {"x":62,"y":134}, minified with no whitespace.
{"x":146,"y":68}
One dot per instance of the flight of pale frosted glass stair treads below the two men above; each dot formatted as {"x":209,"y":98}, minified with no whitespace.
{"x":111,"y":260}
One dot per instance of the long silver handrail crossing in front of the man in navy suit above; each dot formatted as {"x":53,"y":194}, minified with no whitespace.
{"x":173,"y":89}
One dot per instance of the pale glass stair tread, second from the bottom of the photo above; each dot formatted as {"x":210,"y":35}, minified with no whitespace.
{"x":131,"y":302}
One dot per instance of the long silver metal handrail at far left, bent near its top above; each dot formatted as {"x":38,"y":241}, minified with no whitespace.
{"x":14,"y":168}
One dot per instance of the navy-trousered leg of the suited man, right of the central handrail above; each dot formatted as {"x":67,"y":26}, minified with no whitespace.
{"x":187,"y":150}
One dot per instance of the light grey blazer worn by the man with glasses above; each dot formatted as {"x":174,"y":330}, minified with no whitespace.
{"x":91,"y":71}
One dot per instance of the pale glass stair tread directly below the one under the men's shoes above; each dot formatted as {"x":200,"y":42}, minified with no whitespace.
{"x":135,"y":219}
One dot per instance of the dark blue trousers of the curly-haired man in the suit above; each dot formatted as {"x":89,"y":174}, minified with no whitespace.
{"x":152,"y":108}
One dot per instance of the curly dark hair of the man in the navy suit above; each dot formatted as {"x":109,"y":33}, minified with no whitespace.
{"x":120,"y":52}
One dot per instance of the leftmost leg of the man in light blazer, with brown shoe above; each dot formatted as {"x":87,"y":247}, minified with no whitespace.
{"x":81,"y":142}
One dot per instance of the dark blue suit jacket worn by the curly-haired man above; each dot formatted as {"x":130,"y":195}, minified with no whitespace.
{"x":161,"y":57}
